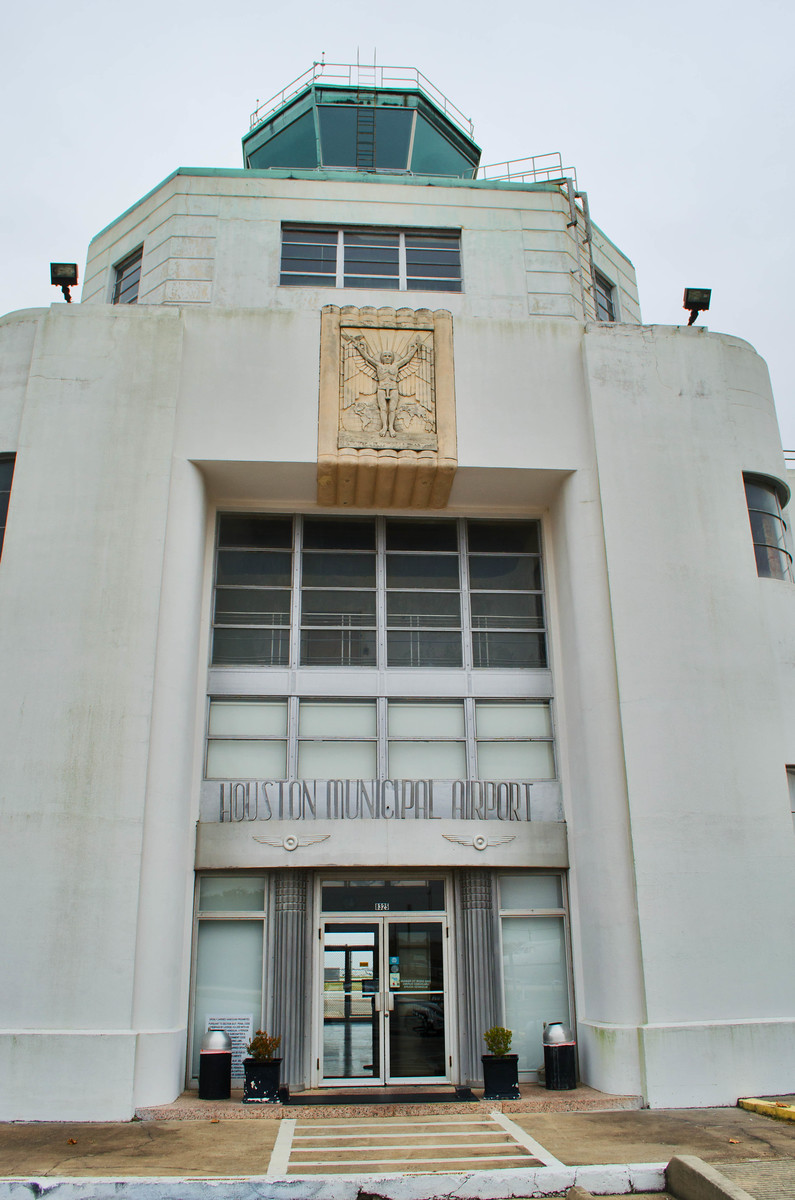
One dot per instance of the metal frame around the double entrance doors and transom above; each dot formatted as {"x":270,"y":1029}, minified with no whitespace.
{"x":382,"y":920}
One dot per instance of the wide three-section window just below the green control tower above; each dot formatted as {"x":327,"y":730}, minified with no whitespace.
{"x":402,"y":261}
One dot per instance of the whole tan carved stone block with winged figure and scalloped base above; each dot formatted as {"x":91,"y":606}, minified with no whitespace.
{"x":387,"y":411}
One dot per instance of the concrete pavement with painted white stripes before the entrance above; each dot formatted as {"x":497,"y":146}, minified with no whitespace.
{"x":476,"y":1154}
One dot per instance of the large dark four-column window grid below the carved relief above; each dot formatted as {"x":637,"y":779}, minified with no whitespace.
{"x":378,"y":592}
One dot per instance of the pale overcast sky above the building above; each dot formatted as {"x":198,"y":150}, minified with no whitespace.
{"x":679,"y":119}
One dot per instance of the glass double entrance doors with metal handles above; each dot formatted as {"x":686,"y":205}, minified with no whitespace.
{"x":384,"y":1001}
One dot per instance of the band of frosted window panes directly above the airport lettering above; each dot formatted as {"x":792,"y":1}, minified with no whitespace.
{"x":357,"y":739}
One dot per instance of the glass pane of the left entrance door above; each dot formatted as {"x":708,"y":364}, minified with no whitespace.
{"x":351,"y":981}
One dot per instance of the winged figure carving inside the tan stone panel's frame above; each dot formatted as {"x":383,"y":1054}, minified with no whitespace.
{"x":388,"y":382}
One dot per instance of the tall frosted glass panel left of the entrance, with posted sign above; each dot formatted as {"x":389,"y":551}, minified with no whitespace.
{"x":229,"y":975}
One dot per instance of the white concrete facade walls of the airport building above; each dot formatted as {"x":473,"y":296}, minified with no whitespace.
{"x":671,"y":659}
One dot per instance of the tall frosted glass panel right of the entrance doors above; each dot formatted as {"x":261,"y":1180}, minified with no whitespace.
{"x":536,"y":982}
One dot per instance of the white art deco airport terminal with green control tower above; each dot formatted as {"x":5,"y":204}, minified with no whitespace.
{"x":397,"y":635}
